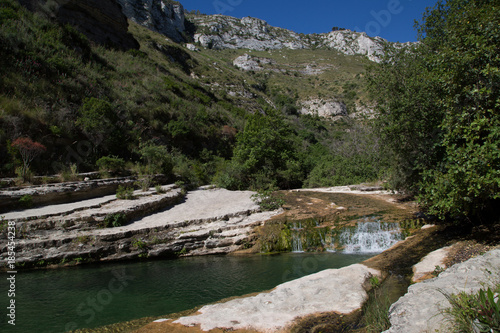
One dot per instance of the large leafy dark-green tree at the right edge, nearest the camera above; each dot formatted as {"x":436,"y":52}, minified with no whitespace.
{"x":465,"y":39}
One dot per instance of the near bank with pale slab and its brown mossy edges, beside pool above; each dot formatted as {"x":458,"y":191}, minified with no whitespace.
{"x":253,"y":314}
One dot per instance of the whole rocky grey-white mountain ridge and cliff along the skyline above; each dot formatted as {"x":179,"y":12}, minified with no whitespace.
{"x":226,"y":32}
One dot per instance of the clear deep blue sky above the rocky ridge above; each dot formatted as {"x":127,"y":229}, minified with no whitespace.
{"x":390,"y":19}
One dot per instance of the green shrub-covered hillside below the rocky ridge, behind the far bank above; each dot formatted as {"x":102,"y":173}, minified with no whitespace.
{"x":195,"y":114}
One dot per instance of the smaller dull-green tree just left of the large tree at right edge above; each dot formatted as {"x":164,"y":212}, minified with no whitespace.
{"x":406,"y":89}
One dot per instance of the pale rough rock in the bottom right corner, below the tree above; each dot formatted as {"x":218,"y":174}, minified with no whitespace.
{"x":421,"y":309}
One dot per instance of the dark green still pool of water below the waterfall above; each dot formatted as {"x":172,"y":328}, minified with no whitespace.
{"x":92,"y":296}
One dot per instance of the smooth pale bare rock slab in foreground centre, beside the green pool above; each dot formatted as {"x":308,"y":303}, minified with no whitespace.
{"x":341,"y":290}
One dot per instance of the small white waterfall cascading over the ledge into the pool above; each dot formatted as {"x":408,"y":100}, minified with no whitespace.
{"x":370,"y":237}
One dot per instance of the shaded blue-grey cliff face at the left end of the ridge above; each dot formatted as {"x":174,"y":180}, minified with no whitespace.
{"x":161,"y":16}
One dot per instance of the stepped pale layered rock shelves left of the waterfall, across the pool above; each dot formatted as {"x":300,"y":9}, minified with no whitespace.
{"x":206,"y":221}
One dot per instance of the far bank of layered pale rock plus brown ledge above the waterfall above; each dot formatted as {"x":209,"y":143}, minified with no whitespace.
{"x":169,"y":222}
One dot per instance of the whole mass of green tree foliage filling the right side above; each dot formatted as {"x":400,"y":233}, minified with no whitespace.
{"x":440,"y":110}
